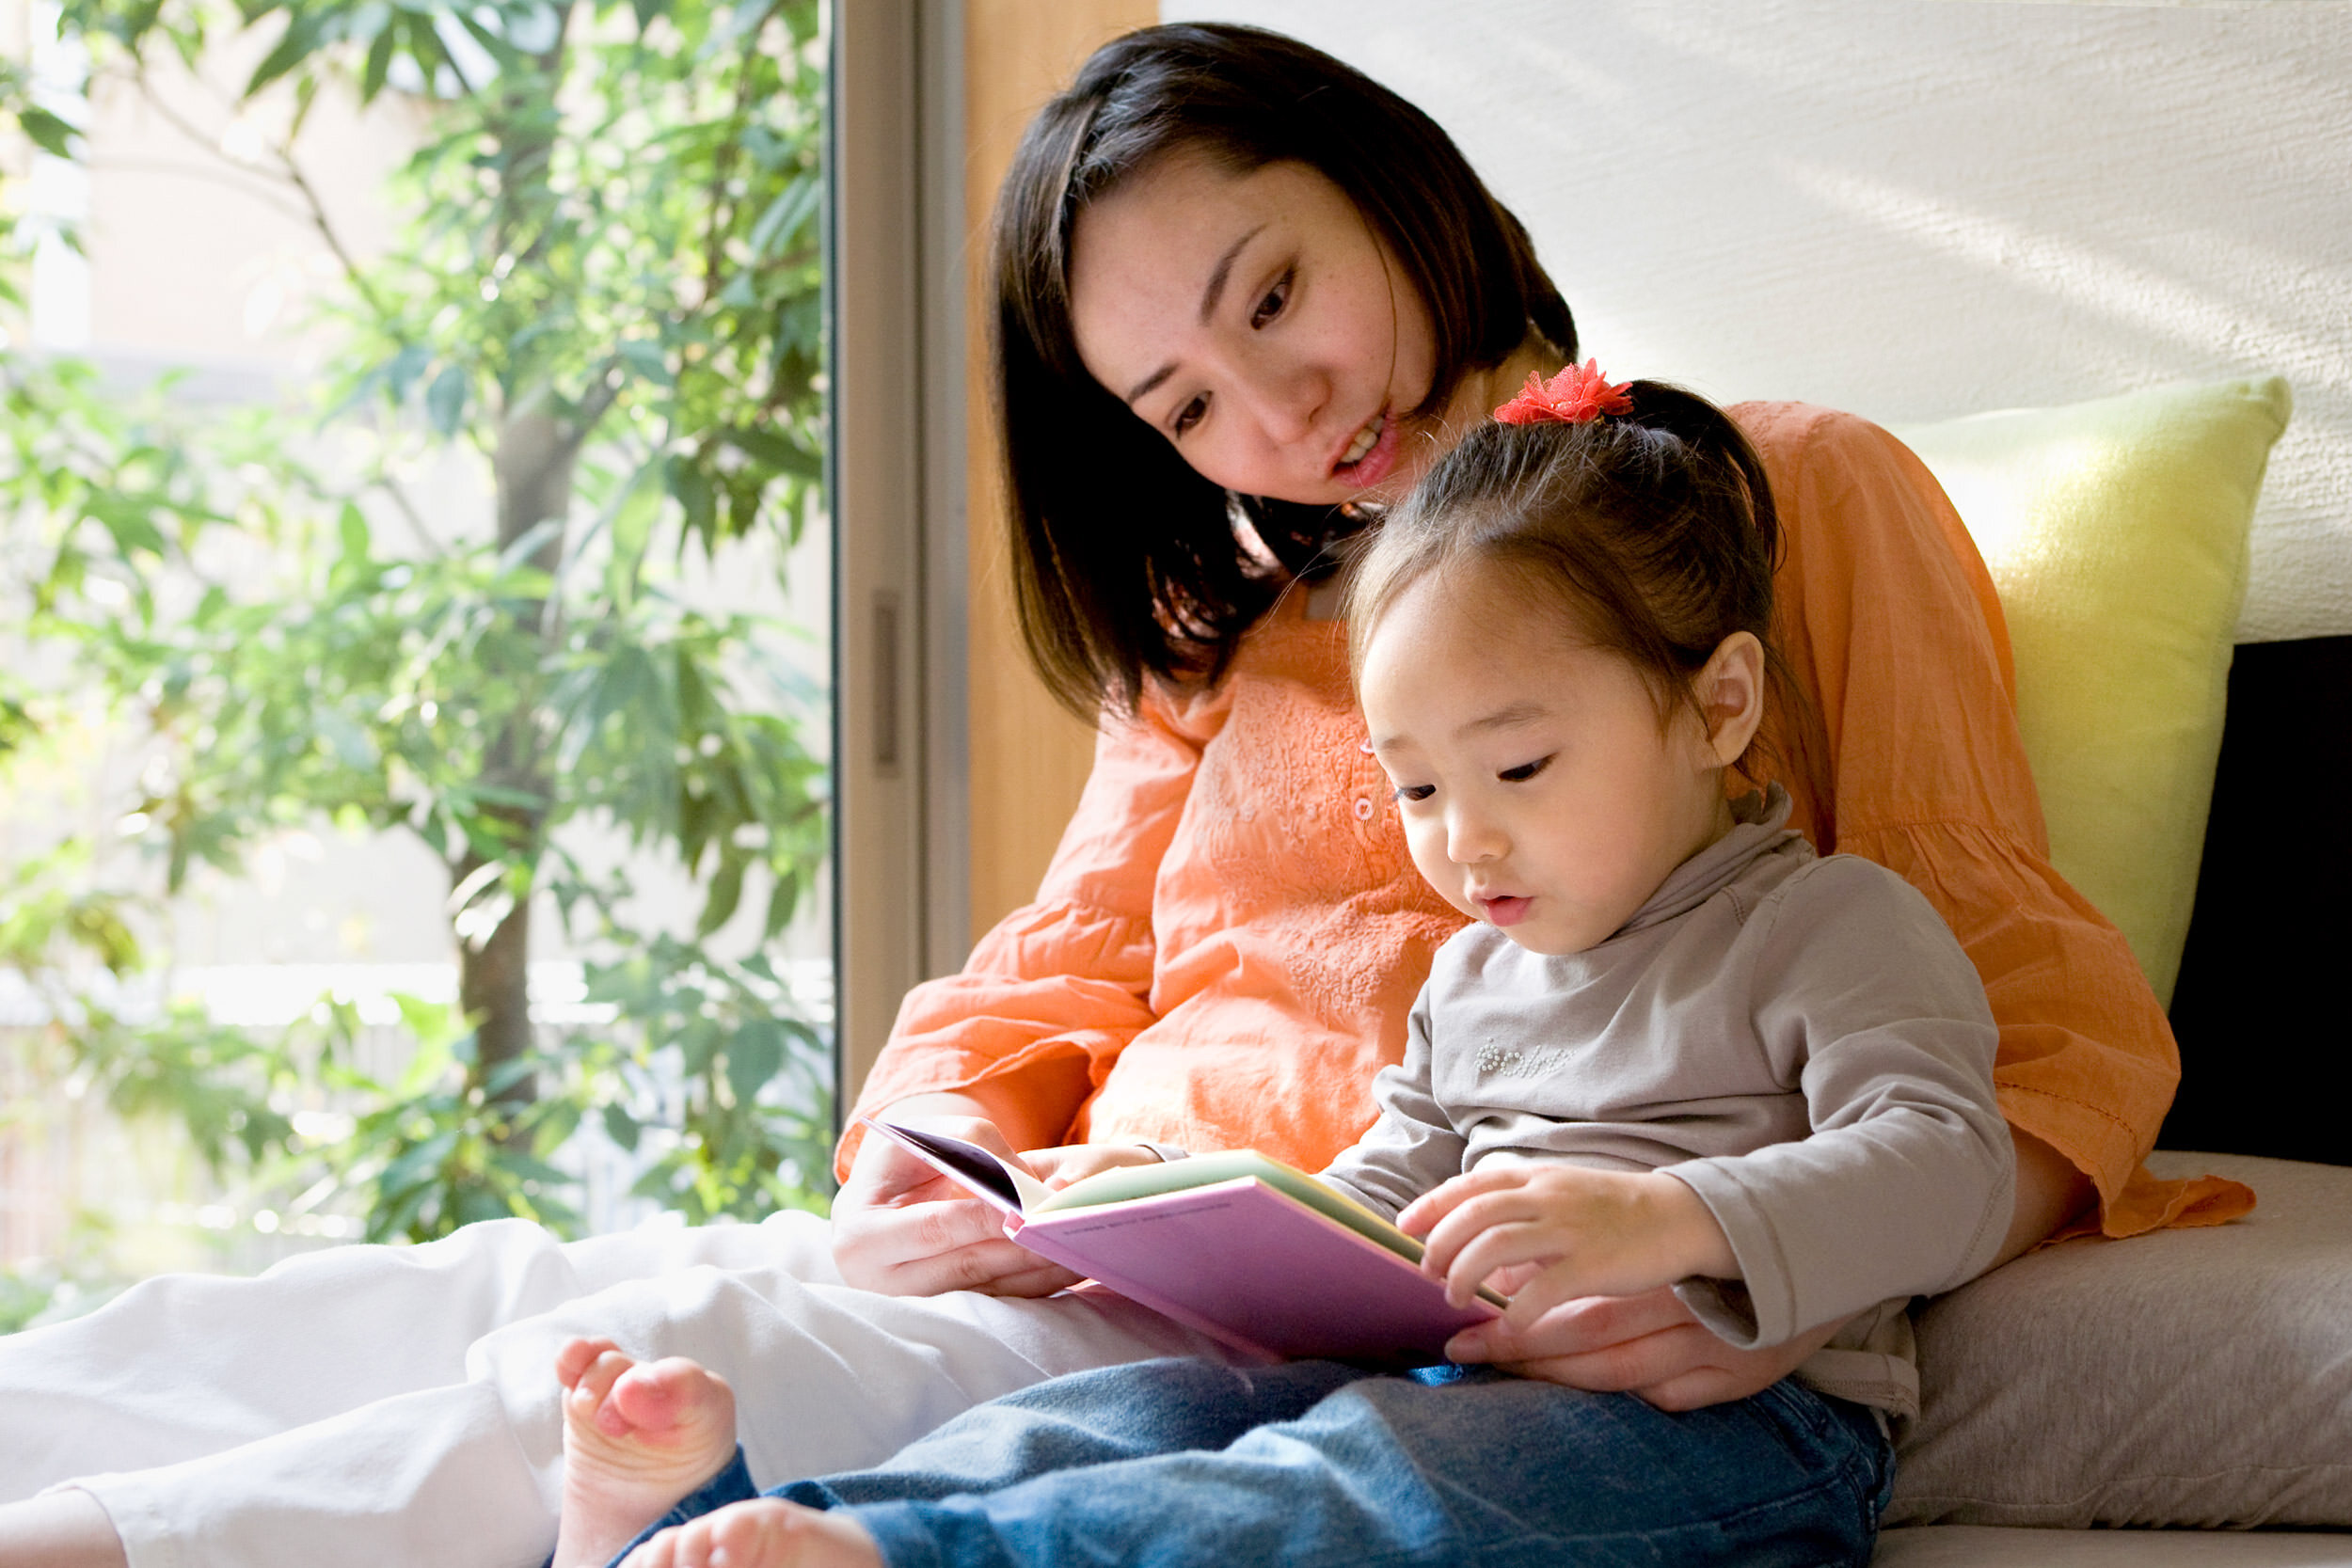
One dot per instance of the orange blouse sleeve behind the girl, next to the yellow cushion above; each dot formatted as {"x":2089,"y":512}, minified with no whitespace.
{"x":1890,"y":622}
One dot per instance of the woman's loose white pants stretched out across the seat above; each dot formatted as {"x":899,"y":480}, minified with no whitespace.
{"x":399,"y":1405}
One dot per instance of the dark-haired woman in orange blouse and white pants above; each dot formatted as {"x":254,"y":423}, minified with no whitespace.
{"x":1227,"y":267}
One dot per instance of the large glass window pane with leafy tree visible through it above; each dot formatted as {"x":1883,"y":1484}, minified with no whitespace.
{"x":415,"y":601}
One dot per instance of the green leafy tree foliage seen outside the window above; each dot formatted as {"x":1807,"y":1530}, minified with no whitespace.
{"x":608,"y":288}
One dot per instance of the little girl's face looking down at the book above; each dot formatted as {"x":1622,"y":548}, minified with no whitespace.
{"x":1537,"y":786}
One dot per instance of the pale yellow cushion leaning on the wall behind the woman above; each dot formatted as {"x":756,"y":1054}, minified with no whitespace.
{"x":2116,"y":532}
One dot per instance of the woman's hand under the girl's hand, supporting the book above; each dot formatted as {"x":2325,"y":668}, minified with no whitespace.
{"x":1648,"y":1346}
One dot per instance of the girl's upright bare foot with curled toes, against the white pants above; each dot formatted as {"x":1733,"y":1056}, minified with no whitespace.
{"x":636,"y":1442}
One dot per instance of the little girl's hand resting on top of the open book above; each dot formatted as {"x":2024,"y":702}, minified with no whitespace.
{"x":1563,"y":1233}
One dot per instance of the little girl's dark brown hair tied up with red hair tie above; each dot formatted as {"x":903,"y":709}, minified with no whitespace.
{"x":1652,"y":535}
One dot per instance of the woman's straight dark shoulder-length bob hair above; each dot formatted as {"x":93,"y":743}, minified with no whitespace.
{"x":1128,"y":563}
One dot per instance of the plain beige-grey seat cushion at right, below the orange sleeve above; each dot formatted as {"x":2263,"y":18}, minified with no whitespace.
{"x":2181,"y":1379}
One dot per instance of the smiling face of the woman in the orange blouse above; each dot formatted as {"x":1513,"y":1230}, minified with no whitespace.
{"x":1262,"y":326}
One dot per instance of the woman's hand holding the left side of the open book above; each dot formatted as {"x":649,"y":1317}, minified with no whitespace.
{"x":902,"y":1228}
